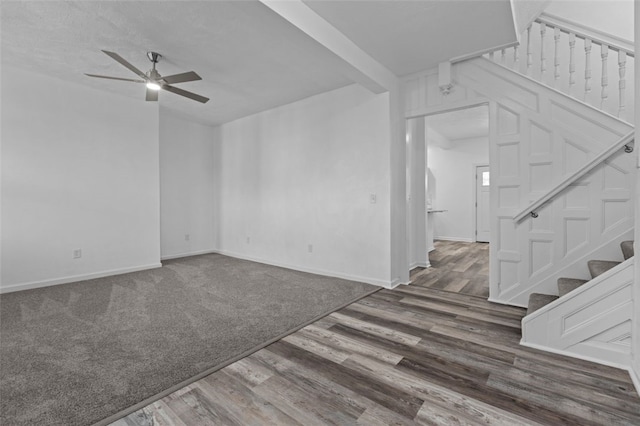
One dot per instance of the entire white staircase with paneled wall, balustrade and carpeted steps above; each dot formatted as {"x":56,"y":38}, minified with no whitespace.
{"x":563,"y":182}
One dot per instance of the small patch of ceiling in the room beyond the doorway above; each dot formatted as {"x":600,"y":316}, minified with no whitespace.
{"x":461,"y":124}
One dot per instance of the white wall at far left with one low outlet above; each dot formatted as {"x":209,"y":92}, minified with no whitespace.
{"x":79,"y":171}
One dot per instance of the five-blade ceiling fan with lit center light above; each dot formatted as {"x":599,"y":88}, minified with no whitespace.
{"x":154,"y":81}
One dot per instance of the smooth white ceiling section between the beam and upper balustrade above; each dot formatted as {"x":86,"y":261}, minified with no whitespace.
{"x":410,"y":36}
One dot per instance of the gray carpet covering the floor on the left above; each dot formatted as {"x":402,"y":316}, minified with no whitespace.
{"x":75,"y":354}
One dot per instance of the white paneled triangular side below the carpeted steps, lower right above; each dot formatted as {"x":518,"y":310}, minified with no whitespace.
{"x":593,"y":322}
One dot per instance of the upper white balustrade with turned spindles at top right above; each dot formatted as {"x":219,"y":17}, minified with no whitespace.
{"x":552,"y":35}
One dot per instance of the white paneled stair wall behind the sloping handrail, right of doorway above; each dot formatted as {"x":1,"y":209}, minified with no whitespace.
{"x":539,"y":136}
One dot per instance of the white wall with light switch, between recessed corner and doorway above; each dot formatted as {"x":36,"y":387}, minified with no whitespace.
{"x":301,"y":175}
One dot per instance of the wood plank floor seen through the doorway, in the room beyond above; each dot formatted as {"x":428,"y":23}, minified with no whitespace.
{"x":457,"y":267}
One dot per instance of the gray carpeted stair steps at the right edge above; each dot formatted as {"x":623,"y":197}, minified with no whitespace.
{"x":568,"y":285}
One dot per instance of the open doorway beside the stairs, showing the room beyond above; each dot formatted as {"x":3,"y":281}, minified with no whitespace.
{"x":446,"y":151}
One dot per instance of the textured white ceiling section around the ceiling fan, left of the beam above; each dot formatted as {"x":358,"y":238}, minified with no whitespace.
{"x":250,"y":59}
